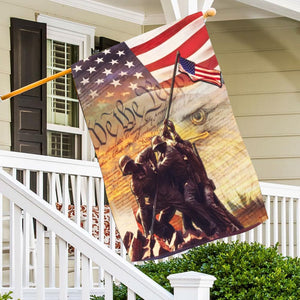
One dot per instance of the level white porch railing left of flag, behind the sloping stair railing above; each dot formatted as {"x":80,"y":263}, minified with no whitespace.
{"x":77,"y":188}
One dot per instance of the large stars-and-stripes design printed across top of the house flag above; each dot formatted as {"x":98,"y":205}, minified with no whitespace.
{"x":142,"y":63}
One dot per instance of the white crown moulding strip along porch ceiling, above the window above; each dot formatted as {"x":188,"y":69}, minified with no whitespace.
{"x":104,"y":9}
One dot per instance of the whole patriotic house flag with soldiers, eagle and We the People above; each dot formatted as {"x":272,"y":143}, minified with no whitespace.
{"x":176,"y":171}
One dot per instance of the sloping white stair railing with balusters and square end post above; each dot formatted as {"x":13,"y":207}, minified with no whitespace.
{"x":25,"y":205}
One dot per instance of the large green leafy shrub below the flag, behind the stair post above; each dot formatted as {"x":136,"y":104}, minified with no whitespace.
{"x":243,"y":271}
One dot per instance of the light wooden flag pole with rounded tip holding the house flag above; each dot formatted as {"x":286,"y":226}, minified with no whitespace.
{"x":209,"y":13}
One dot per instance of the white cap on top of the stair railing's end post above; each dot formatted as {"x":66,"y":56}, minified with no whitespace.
{"x":190,"y":279}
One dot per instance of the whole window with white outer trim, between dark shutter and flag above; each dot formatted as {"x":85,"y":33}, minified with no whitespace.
{"x":67,"y":42}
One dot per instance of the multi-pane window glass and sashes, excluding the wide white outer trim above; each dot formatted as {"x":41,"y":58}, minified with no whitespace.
{"x":62,"y":102}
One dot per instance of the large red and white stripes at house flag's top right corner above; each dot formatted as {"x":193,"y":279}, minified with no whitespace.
{"x":157,"y":49}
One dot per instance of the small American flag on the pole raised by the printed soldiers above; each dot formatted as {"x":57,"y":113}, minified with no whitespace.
{"x":196,"y":72}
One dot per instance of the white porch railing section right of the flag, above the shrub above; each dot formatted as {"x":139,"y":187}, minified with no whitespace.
{"x":283,"y":225}
